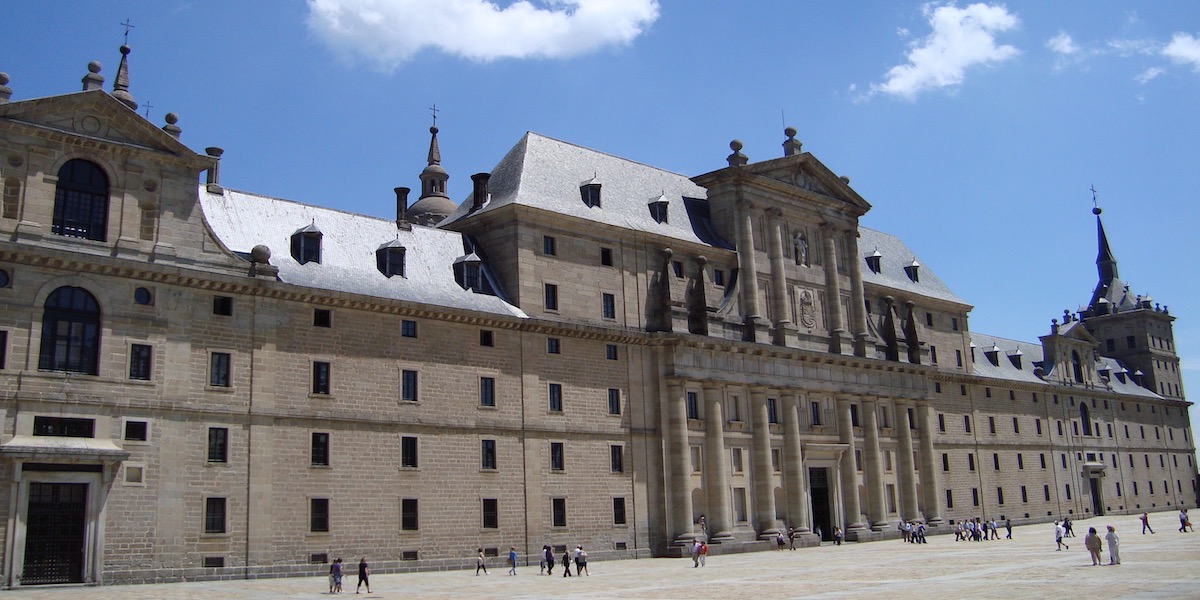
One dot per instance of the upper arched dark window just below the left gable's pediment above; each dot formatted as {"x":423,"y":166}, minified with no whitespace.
{"x":81,"y":201}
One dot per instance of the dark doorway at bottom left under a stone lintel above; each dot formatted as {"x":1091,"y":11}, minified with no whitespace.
{"x":56,"y":533}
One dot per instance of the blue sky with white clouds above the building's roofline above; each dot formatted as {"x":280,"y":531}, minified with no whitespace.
{"x":975,"y":130}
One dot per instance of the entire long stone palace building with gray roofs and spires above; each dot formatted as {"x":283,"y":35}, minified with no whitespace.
{"x":199,"y":382}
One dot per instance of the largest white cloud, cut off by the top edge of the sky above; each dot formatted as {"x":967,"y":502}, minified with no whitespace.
{"x":389,"y":33}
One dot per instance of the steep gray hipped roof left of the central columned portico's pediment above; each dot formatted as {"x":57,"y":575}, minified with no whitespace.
{"x":547,"y":175}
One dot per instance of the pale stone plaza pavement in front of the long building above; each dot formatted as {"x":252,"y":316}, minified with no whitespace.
{"x":1165,"y":566}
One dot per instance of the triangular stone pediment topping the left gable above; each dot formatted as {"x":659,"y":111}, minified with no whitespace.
{"x":98,"y":116}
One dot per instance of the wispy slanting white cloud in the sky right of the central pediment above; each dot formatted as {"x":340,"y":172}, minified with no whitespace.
{"x":962,"y":39}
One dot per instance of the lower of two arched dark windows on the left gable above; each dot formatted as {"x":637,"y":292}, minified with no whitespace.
{"x":71,"y":332}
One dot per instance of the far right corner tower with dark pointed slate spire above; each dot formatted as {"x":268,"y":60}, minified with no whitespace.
{"x":1130,"y":328}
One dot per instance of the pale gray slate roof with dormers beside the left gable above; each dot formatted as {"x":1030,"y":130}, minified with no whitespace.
{"x":350,"y":242}
